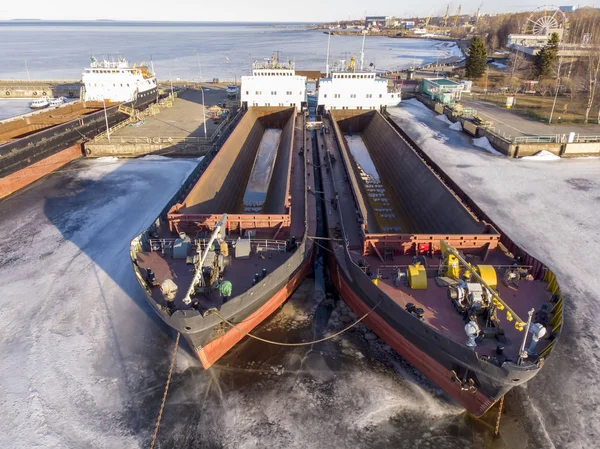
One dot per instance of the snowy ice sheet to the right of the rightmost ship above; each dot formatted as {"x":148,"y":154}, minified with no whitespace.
{"x":552,"y":210}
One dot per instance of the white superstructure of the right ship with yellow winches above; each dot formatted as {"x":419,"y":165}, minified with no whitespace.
{"x":350,"y":88}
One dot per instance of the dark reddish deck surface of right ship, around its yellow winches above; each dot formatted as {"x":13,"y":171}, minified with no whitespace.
{"x":439,"y":312}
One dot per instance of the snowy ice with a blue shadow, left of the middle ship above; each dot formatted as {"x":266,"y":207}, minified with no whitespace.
{"x":76,"y":336}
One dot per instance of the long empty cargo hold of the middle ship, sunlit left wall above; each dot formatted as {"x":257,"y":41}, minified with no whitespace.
{"x":230,"y":177}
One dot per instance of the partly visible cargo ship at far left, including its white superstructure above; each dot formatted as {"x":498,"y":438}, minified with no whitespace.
{"x":36,"y":144}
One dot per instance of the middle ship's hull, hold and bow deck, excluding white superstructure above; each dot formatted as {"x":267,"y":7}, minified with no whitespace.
{"x":245,"y":222}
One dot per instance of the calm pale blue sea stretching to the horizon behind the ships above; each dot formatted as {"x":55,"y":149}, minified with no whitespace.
{"x":55,"y":50}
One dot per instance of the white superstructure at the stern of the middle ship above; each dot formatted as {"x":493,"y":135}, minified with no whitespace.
{"x":273,"y":84}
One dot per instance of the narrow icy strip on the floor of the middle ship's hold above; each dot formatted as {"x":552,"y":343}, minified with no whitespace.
{"x":260,"y":178}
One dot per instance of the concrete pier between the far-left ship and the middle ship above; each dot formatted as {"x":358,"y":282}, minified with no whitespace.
{"x":176,"y":130}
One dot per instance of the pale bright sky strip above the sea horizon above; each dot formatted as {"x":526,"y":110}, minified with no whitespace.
{"x":255,"y":10}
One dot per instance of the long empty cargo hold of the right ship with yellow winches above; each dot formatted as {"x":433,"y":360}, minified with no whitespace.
{"x":420,"y":201}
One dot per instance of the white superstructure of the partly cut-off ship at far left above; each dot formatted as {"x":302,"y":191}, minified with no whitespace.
{"x":117,"y":81}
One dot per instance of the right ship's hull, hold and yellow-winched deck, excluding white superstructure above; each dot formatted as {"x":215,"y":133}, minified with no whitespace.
{"x":443,"y":286}
